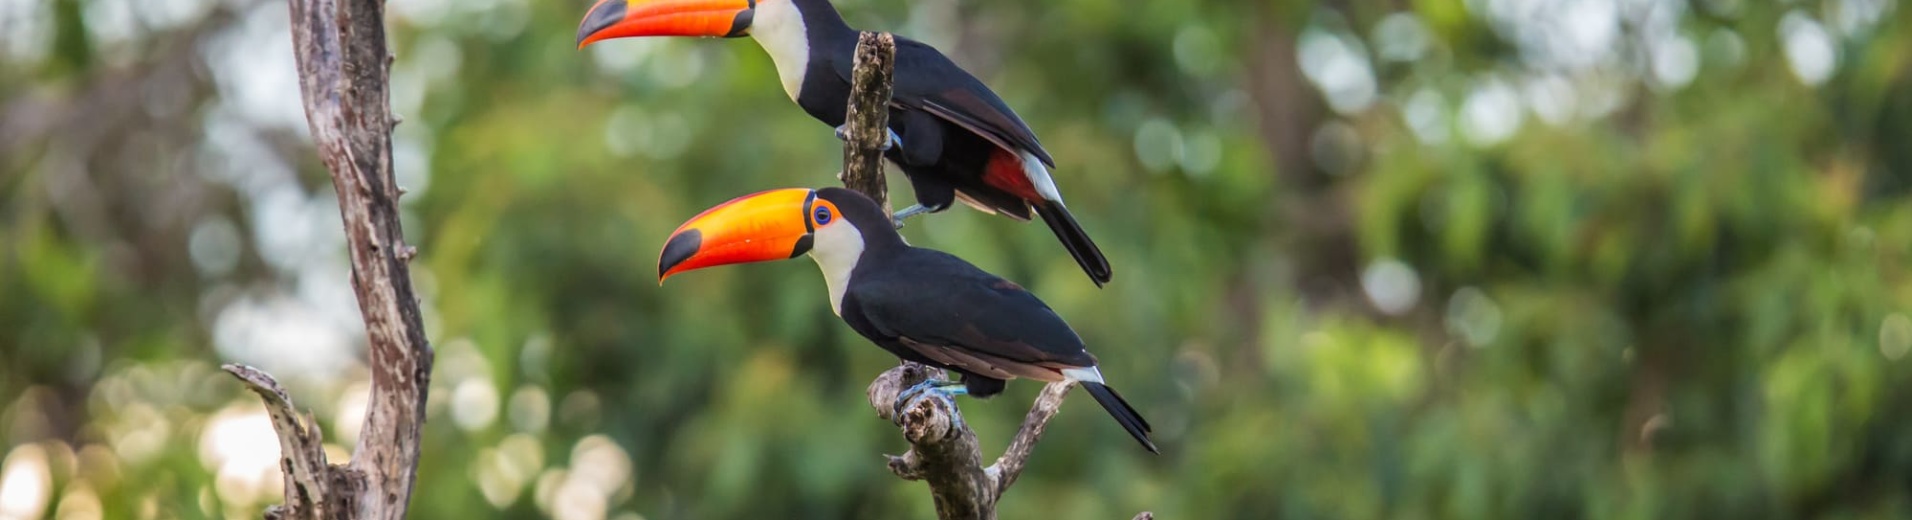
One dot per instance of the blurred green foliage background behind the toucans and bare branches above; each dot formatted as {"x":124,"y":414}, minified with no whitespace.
{"x":1435,"y":259}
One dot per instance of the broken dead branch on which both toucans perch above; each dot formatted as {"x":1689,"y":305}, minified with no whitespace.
{"x":944,"y":450}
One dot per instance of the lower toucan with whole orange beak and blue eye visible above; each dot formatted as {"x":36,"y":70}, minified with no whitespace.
{"x":921,"y":305}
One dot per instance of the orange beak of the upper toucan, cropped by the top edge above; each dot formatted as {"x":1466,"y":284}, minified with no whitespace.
{"x":664,"y":18}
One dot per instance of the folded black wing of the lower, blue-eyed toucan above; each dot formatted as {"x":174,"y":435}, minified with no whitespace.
{"x":957,"y":314}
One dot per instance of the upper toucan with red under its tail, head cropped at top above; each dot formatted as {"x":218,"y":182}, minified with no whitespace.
{"x":949,"y":133}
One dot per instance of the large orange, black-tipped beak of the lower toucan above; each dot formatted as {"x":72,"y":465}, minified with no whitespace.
{"x":752,"y":228}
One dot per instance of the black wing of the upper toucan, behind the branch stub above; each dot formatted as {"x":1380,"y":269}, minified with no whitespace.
{"x":928,"y":81}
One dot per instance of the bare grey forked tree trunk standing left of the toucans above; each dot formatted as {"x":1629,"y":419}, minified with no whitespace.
{"x":343,"y":77}
